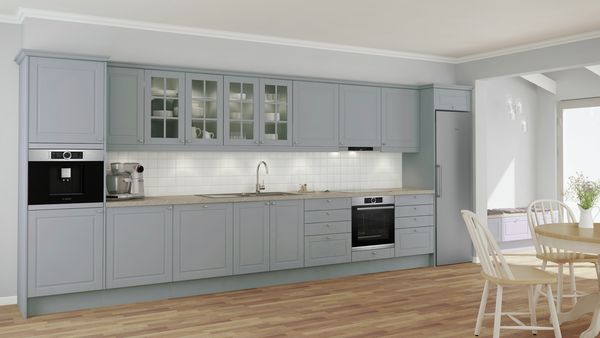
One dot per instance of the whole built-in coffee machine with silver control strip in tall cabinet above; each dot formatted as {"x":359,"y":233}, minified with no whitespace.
{"x":59,"y":177}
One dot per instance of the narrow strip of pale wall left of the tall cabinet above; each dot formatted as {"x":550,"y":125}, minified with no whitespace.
{"x":10,"y":37}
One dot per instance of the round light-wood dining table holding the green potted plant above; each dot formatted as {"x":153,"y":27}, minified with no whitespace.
{"x":570,"y":237}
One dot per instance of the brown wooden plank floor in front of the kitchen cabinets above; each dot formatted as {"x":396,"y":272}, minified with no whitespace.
{"x":429,"y":302}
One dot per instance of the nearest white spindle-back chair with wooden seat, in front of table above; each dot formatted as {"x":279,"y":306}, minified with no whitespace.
{"x":495,"y":270}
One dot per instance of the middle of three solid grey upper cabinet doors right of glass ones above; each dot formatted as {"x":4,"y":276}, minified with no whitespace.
{"x":360,"y":116}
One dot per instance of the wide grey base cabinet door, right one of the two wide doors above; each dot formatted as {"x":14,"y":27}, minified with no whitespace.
{"x":202,"y":241}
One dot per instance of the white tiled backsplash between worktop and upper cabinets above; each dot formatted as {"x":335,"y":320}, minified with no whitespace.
{"x":183,"y":173}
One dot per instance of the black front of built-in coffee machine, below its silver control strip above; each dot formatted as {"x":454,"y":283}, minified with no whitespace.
{"x":65,"y":182}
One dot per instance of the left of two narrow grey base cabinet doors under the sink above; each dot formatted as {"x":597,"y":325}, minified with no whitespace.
{"x":250,"y":237}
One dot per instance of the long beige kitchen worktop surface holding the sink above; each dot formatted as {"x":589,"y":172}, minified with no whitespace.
{"x":193,"y":199}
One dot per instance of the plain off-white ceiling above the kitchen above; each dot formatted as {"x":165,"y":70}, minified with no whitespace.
{"x":451,"y":29}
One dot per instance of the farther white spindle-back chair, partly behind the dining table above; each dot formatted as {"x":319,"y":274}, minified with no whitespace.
{"x":552,"y":211}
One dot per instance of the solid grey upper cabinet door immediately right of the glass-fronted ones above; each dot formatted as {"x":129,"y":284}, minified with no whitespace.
{"x":316,"y":107}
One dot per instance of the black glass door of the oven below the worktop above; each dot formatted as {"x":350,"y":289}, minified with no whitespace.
{"x":372,"y":225}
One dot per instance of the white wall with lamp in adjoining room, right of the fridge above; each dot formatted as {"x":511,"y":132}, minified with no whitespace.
{"x":511,"y":164}
